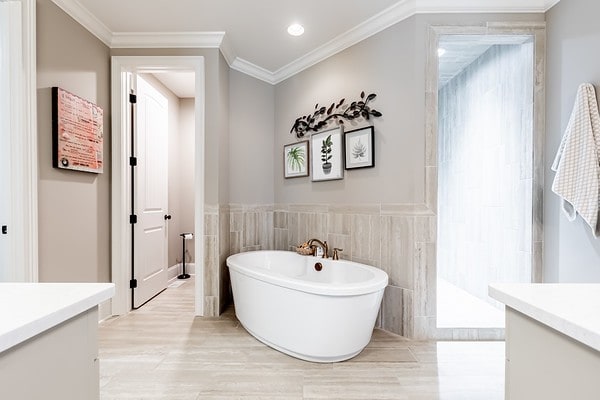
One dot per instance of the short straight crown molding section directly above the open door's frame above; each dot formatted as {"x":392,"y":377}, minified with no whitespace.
{"x":167,"y":39}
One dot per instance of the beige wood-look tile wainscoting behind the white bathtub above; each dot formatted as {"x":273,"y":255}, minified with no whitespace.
{"x":400,"y":239}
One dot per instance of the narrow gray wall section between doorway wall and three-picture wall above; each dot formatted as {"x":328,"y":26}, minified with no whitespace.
{"x":251,"y":123}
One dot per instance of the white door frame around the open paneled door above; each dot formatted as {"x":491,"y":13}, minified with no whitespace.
{"x":120,"y":227}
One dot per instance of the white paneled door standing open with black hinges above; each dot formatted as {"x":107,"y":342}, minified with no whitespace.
{"x":150,"y":193}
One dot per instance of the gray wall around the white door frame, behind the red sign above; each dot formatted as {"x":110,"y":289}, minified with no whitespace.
{"x":74,"y":207}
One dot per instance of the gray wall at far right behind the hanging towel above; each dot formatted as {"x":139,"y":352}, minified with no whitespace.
{"x":571,"y":253}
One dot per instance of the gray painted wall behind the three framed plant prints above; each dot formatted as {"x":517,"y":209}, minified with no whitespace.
{"x":392,"y":65}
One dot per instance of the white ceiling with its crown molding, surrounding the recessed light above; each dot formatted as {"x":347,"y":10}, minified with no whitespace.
{"x":252,"y":35}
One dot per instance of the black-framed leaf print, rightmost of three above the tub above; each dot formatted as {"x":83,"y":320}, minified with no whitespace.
{"x":359,"y":148}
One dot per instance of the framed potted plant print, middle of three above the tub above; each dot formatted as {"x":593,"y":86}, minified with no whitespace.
{"x":327,"y":155}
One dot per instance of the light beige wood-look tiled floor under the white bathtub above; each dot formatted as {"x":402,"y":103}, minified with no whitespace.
{"x":163,"y":352}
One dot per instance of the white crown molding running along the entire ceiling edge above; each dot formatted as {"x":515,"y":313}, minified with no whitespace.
{"x":398,"y":12}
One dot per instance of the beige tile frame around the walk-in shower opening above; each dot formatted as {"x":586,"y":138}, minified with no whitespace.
{"x":425,"y":317}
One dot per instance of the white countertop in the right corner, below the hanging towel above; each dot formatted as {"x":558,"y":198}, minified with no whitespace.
{"x":570,"y":308}
